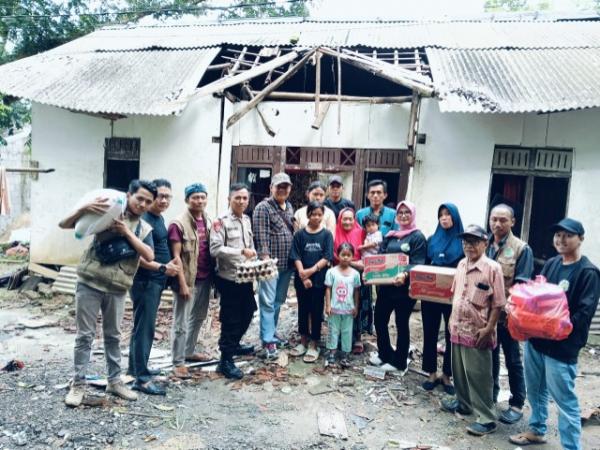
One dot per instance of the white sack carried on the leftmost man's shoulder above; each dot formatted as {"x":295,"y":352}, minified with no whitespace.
{"x":90,"y":223}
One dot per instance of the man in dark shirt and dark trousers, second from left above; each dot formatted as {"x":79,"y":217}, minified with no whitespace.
{"x":148,"y":285}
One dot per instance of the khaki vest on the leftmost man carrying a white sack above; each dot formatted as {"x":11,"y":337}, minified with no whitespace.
{"x":110,"y":278}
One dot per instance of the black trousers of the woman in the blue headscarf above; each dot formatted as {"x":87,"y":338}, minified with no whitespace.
{"x":432,"y":313}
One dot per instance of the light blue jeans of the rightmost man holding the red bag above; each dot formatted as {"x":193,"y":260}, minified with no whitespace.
{"x":546,"y":376}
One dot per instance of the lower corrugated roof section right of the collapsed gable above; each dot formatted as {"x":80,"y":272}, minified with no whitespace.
{"x":516,"y":81}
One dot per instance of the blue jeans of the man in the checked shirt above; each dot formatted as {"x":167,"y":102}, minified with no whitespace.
{"x":271,"y":295}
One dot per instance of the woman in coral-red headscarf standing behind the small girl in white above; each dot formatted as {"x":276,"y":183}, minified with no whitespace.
{"x":348,"y":230}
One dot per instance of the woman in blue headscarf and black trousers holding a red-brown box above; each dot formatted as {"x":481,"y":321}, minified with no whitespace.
{"x":444,"y":248}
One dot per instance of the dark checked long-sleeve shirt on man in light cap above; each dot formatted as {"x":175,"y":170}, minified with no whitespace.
{"x":273,"y":231}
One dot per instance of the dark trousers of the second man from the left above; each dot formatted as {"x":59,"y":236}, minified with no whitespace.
{"x":145,"y":296}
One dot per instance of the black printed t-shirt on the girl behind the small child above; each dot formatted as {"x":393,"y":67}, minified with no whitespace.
{"x":309,"y":248}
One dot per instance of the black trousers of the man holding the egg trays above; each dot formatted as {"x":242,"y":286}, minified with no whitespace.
{"x":237,"y":308}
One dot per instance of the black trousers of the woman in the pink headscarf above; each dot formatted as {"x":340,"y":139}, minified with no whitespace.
{"x":391,"y":299}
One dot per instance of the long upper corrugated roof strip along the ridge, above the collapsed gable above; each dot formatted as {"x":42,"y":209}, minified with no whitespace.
{"x":528,"y":34}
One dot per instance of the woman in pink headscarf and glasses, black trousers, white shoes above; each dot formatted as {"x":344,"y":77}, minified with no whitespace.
{"x":409,"y":240}
